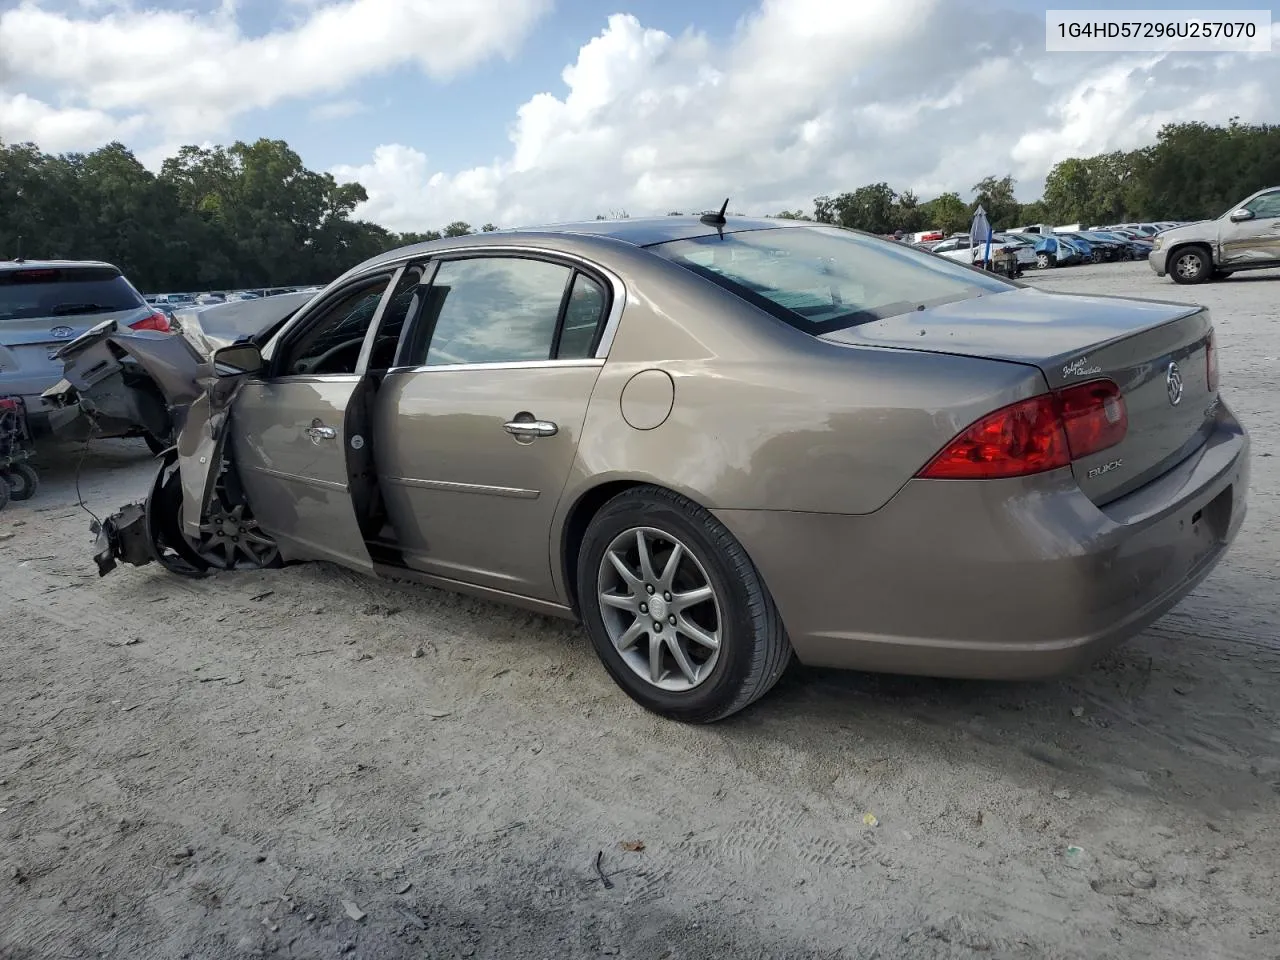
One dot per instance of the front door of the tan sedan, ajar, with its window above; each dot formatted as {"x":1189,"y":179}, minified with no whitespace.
{"x":299,"y":435}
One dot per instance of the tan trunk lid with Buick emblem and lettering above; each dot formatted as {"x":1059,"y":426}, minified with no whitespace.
{"x":1156,"y":353}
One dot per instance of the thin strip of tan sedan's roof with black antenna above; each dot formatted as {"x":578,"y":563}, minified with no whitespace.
{"x":638,"y":232}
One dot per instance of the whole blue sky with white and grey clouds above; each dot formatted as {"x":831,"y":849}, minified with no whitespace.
{"x":534,"y":111}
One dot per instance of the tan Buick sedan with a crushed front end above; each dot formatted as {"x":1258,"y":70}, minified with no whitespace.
{"x":719,"y":444}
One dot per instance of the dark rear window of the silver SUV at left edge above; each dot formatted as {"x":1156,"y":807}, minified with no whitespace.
{"x":43,"y":292}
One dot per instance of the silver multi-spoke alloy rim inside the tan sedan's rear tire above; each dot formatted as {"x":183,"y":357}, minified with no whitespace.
{"x":660,"y":609}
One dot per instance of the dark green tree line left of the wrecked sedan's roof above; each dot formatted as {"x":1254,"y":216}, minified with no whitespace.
{"x":245,"y":216}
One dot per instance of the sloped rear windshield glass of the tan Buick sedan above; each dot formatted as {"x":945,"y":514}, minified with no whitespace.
{"x":825,"y":278}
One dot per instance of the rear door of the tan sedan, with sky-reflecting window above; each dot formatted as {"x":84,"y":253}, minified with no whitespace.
{"x":479,"y":423}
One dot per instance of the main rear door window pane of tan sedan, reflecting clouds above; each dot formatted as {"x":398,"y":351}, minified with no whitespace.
{"x":490,"y":310}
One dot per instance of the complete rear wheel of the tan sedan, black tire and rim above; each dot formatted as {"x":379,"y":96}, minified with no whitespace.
{"x":715,"y":593}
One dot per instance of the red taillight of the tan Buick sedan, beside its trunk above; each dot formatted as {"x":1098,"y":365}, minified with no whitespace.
{"x":1037,"y":435}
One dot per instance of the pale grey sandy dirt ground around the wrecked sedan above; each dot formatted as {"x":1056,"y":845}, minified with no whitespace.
{"x":307,"y":764}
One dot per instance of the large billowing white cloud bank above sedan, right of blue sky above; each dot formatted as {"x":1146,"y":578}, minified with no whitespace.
{"x":811,"y":98}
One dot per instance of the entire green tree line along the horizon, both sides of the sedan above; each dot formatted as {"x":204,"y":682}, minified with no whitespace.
{"x":254,"y":216}
